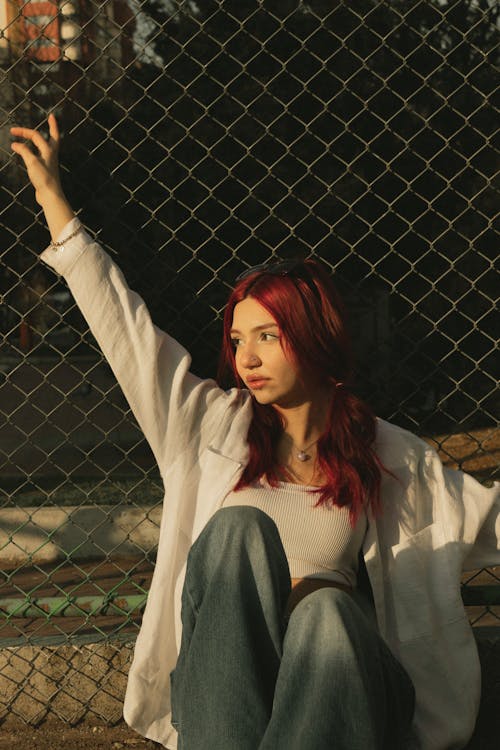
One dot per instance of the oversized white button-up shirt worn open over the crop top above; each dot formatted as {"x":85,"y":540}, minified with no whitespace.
{"x":435,"y":522}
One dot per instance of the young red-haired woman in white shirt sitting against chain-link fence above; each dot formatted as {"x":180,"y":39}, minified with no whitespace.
{"x":256,"y":634}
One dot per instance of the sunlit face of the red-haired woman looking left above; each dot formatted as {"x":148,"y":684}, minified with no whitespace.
{"x":261,"y":361}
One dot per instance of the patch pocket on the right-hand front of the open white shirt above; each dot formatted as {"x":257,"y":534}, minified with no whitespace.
{"x":425,"y":592}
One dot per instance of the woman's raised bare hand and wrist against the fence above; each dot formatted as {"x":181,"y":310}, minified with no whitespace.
{"x":43,"y":171}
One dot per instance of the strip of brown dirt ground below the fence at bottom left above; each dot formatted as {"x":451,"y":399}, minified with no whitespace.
{"x":59,"y":736}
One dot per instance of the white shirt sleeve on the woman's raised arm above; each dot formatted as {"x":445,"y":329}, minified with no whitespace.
{"x":171,"y":404}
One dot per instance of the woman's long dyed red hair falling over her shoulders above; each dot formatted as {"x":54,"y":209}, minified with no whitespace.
{"x":311,"y":319}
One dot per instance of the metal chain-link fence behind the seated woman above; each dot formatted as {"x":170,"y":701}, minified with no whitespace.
{"x":201,"y":137}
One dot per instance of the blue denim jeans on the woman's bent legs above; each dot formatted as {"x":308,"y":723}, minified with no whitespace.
{"x":248,"y":679}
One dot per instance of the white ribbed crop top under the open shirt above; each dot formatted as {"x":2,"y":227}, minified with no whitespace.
{"x":318,"y":542}
